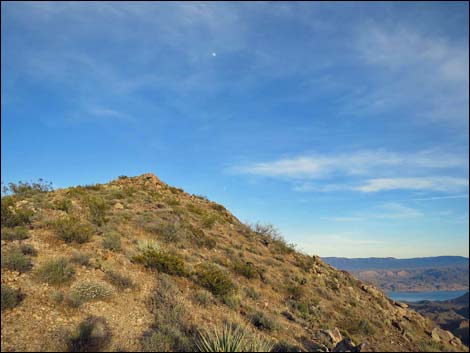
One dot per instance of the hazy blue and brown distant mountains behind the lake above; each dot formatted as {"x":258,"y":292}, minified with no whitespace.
{"x":415,"y":274}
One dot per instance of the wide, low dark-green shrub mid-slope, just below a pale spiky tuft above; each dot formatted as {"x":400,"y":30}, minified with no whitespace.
{"x":163,"y":261}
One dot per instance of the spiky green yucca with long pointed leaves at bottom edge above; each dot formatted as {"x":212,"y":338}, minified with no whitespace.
{"x":232,"y":339}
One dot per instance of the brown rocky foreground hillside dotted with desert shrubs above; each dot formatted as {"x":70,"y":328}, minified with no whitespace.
{"x":139,"y":265}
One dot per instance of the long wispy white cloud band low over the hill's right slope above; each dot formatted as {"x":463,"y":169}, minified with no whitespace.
{"x":367,"y":171}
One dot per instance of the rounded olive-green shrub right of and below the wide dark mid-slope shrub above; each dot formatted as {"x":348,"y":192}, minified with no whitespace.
{"x":214,"y":279}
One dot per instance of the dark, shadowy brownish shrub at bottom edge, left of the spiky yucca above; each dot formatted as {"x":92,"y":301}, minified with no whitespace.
{"x":92,"y":335}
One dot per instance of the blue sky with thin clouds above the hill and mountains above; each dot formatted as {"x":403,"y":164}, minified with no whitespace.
{"x":344,"y":124}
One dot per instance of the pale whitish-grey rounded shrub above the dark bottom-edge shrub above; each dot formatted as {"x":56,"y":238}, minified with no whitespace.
{"x":86,"y":291}
